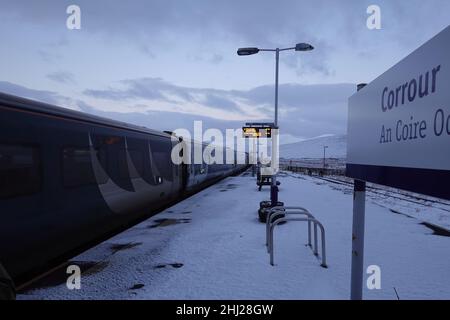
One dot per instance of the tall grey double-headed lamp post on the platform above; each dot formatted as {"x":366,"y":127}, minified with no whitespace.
{"x":251,"y":51}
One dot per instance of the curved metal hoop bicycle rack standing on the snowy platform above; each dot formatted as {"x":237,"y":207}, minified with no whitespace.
{"x":286,"y":211}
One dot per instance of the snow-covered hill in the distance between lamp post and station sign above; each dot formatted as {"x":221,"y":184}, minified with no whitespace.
{"x":313,"y":148}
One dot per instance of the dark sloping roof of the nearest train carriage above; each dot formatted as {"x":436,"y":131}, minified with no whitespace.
{"x":45,"y":108}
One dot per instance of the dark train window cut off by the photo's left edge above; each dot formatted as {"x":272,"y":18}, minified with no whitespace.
{"x":19,"y":170}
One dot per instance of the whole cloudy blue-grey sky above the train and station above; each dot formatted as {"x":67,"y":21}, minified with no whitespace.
{"x":167,"y":63}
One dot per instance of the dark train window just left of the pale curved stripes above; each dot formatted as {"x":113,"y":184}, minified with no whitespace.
{"x":77,"y":167}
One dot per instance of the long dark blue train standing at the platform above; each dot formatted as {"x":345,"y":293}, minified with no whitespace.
{"x":68,"y":179}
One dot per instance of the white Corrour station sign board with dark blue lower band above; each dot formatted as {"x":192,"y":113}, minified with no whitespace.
{"x":399,"y":124}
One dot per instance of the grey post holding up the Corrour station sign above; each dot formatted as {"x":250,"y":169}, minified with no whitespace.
{"x":359,"y":212}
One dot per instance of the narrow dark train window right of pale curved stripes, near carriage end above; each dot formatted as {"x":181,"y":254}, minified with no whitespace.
{"x":161,"y":151}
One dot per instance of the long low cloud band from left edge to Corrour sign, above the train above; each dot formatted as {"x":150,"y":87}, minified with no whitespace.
{"x":305,"y":110}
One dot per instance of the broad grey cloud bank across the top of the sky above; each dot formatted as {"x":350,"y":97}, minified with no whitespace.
{"x":210,"y":27}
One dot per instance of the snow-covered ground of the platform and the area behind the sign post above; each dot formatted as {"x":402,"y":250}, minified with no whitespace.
{"x":211,"y":246}
